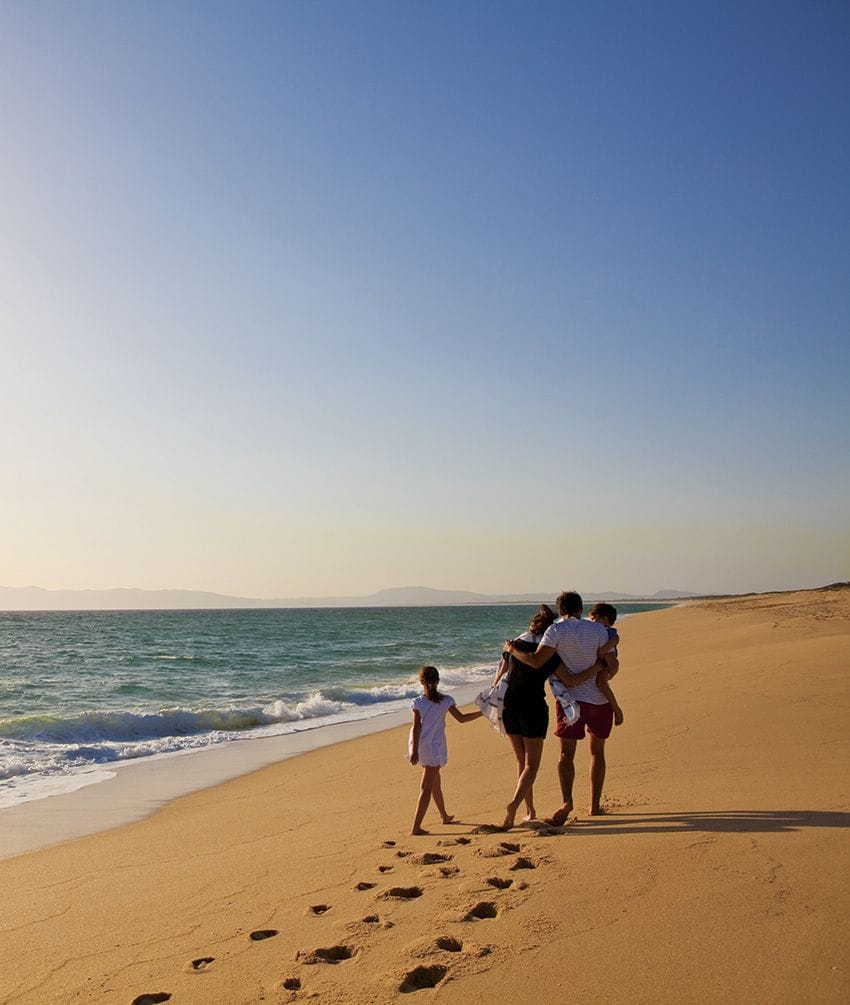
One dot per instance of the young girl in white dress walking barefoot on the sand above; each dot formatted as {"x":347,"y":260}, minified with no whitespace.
{"x":429,"y":743}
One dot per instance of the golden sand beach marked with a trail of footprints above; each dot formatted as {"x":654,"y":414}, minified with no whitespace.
{"x":721,"y":871}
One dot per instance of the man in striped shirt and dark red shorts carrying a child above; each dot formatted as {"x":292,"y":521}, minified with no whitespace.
{"x":580,"y":645}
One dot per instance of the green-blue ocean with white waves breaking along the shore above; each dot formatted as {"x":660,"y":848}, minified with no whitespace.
{"x":80,"y":691}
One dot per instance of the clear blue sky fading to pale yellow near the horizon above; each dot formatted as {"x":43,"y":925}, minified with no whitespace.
{"x":318,"y":298}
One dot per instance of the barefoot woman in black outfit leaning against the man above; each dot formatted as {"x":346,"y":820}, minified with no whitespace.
{"x":526,"y":714}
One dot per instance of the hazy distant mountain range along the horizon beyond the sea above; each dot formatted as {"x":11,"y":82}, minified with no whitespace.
{"x":34,"y":598}
